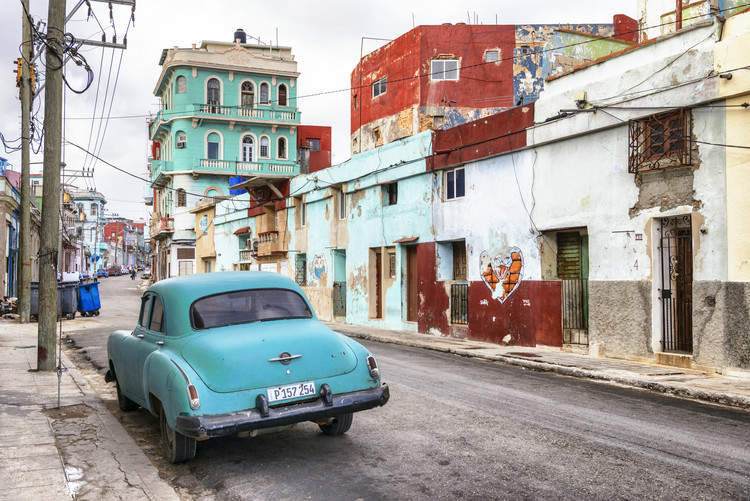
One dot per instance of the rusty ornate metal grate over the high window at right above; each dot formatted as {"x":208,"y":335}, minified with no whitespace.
{"x":663,"y":140}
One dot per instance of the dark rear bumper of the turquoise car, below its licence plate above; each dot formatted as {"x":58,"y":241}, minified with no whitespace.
{"x":219,"y":425}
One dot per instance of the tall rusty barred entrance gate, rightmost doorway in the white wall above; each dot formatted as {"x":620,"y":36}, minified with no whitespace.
{"x":676,"y":252}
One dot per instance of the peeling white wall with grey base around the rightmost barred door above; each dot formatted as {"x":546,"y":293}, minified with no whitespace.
{"x":583,"y":180}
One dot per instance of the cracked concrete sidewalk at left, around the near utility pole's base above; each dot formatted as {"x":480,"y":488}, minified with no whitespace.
{"x":77,"y":450}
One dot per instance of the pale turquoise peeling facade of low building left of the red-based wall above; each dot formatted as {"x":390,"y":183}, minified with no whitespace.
{"x":370,"y":222}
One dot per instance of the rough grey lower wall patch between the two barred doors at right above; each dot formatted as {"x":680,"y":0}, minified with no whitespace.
{"x":620,"y":318}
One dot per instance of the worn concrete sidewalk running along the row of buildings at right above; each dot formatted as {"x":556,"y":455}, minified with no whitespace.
{"x":732,"y":389}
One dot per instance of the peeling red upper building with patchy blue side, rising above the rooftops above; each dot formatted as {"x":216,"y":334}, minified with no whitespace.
{"x":414,"y":102}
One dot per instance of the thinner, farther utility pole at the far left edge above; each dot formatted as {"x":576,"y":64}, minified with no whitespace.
{"x":24,"y":275}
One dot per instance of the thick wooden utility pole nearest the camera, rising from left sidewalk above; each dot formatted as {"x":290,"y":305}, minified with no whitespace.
{"x":46,"y":356}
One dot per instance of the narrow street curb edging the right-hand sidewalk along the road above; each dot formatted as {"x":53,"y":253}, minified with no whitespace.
{"x":643,"y":383}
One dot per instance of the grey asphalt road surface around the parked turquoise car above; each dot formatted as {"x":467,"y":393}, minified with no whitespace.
{"x":458,"y":428}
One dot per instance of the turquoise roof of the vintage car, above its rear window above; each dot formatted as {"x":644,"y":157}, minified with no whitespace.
{"x":179,"y":293}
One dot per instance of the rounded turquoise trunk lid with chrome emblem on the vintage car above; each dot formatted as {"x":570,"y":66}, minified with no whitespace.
{"x":241,"y":357}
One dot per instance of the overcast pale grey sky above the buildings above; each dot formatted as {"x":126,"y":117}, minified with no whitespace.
{"x":326,"y":38}
